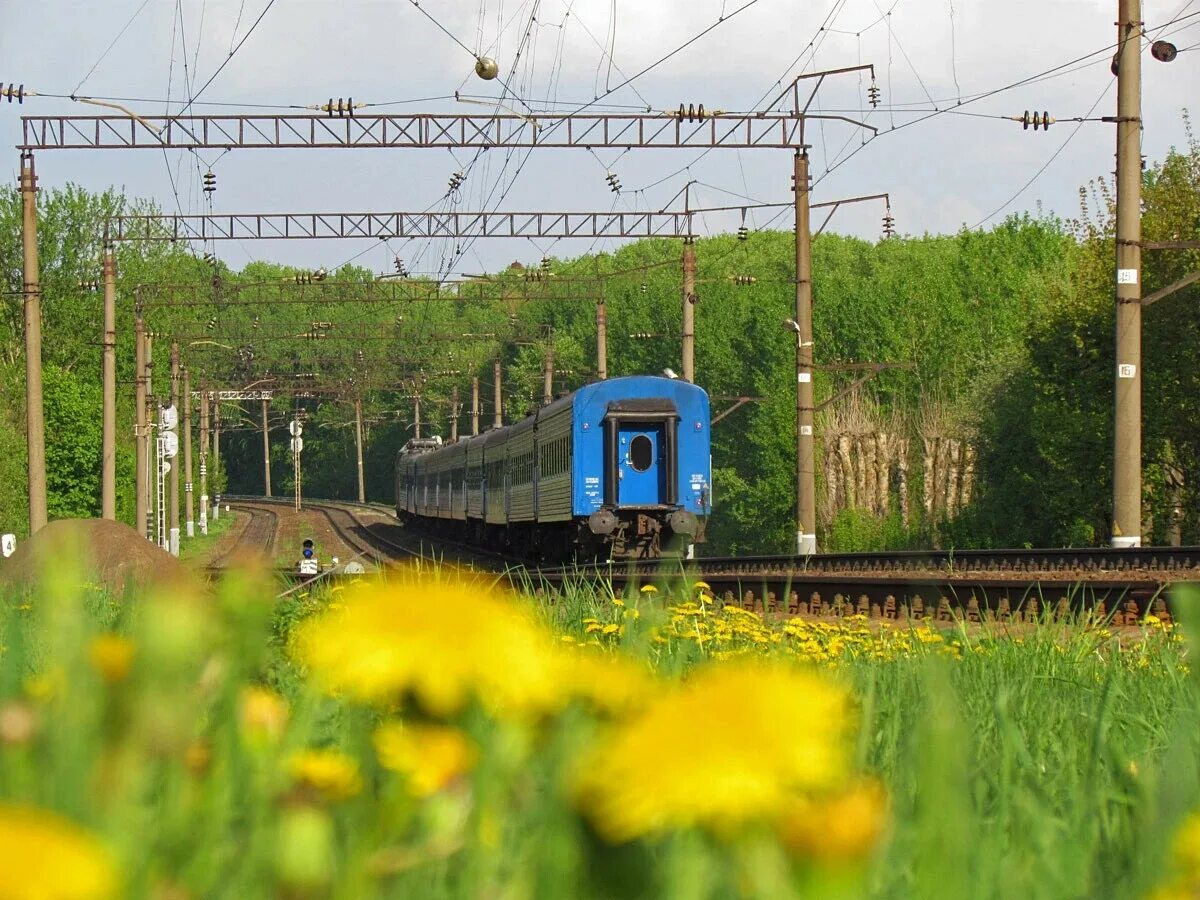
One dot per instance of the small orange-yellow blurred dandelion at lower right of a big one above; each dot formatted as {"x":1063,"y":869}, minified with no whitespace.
{"x":841,"y":829}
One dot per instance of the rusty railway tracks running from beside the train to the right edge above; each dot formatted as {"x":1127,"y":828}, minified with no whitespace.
{"x":1005,"y":585}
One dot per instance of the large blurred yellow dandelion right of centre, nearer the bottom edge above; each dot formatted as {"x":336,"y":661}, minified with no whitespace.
{"x":691,"y":746}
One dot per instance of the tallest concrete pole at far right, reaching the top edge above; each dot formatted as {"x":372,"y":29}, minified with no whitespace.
{"x":1127,"y":443}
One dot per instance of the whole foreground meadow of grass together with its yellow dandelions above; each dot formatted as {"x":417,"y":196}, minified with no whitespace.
{"x":427,"y":736}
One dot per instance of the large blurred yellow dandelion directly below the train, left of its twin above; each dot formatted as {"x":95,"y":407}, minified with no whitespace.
{"x":437,"y":644}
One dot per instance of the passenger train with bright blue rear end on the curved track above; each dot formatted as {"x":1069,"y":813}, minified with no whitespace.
{"x":620,"y":469}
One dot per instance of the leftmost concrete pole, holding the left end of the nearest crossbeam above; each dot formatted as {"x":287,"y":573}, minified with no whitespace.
{"x":35,"y":425}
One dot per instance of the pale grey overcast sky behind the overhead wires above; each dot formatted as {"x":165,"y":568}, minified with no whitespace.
{"x":949,"y":171}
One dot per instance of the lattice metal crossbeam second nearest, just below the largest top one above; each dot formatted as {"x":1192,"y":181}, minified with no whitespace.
{"x":381,"y":226}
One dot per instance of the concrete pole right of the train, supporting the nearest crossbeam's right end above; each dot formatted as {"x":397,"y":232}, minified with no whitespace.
{"x":806,"y":464}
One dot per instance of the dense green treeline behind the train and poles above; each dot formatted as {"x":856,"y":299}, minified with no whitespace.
{"x":995,"y":431}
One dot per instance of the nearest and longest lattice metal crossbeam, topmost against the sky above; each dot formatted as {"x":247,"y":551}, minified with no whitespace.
{"x":226,"y":133}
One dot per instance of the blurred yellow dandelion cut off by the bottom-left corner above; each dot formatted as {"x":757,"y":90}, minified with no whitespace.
{"x":46,"y":857}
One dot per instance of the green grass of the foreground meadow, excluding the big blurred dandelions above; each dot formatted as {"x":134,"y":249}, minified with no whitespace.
{"x":1054,"y":765}
